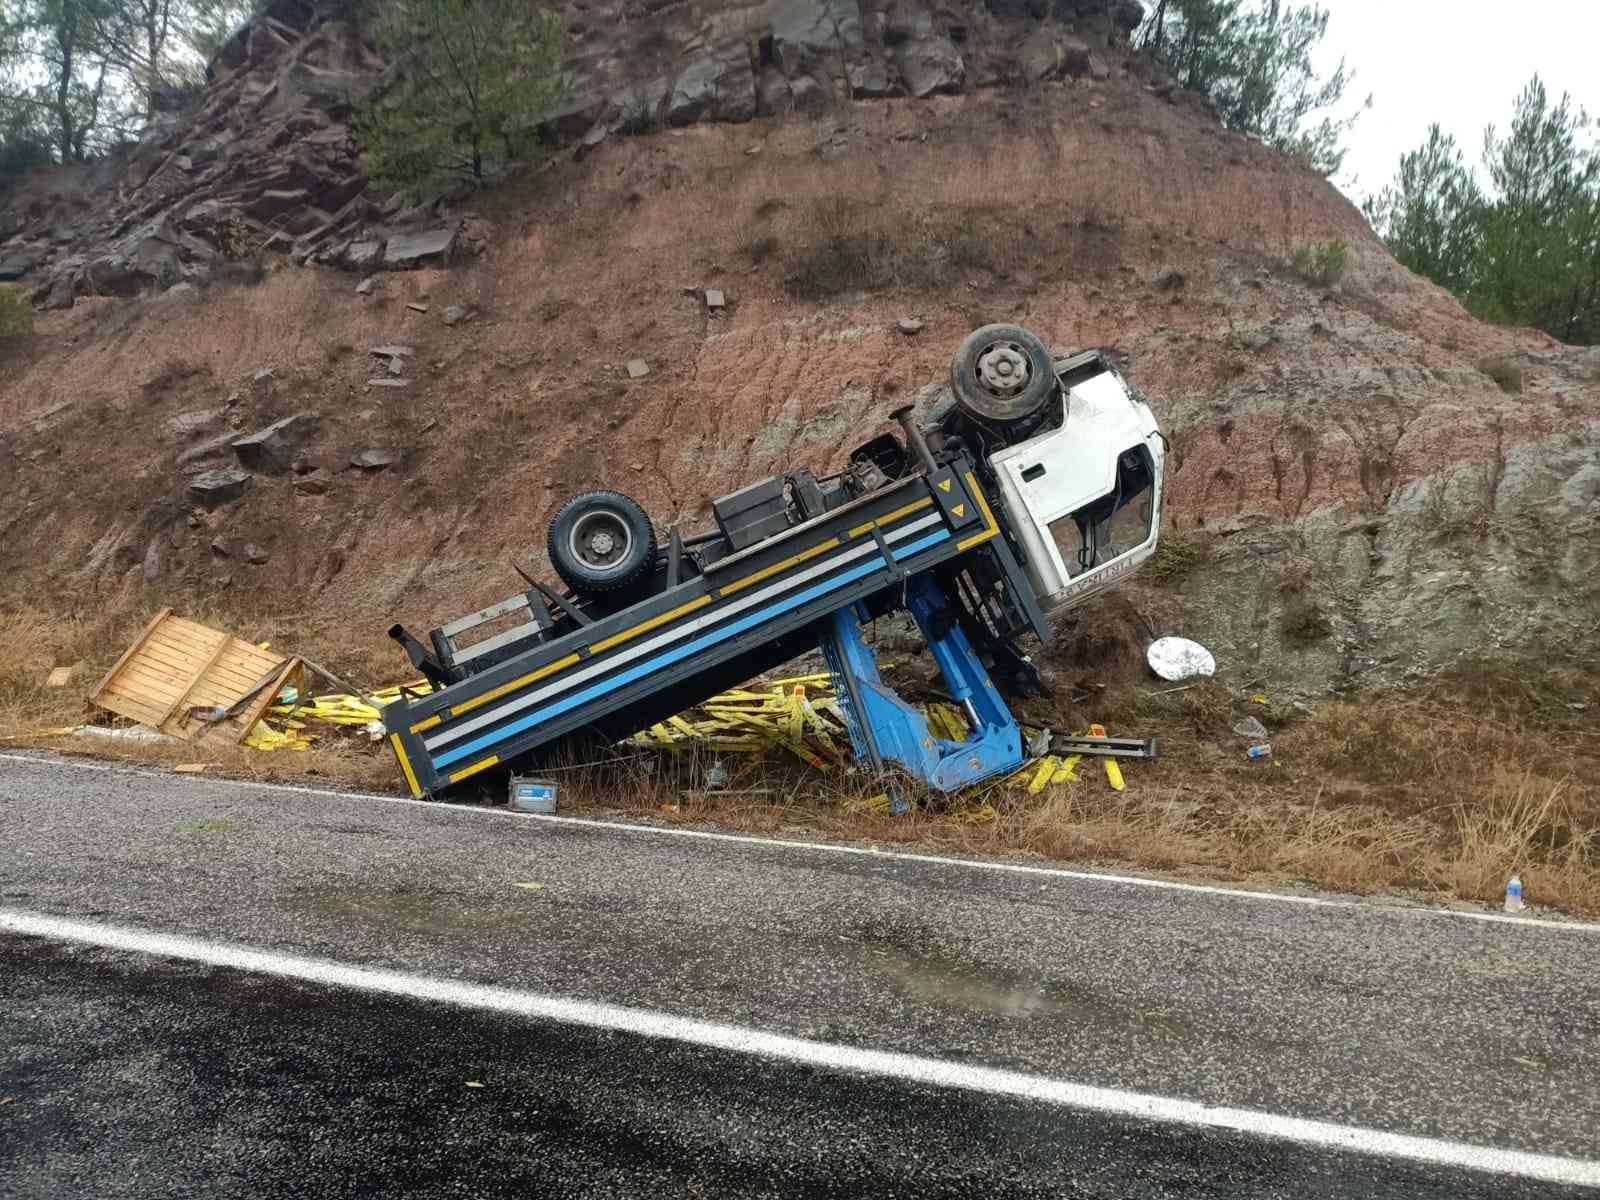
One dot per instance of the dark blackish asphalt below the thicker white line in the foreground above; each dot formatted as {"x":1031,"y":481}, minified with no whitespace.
{"x":143,"y":1079}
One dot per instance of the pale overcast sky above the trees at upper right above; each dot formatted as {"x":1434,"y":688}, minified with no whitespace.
{"x":1460,"y":63}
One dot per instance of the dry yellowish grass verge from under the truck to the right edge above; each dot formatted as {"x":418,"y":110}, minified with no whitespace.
{"x":1422,"y":794}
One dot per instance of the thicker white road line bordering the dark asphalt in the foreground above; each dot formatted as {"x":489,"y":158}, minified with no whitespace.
{"x":881,"y":1063}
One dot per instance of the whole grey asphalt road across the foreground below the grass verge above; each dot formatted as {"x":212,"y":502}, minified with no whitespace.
{"x":130,"y":1074}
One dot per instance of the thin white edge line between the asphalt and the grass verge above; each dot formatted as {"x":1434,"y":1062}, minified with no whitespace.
{"x":1374,"y":906}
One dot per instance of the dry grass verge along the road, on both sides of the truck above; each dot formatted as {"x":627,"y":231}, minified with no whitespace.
{"x":1441,"y":793}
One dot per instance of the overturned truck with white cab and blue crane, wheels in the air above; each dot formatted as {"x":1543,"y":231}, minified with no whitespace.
{"x":1033,"y":486}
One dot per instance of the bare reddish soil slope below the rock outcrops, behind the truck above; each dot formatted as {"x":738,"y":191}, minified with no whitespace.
{"x":1068,"y":210}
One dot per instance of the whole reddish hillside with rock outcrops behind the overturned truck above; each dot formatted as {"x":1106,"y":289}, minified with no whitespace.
{"x":1367,"y":482}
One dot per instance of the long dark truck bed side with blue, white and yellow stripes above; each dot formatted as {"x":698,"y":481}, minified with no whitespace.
{"x":748,"y":614}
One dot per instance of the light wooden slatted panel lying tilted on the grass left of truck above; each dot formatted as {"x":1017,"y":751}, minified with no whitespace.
{"x":177,"y":666}
